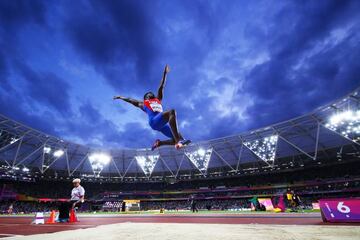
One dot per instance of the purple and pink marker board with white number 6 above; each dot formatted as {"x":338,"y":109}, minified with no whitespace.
{"x":340,"y":209}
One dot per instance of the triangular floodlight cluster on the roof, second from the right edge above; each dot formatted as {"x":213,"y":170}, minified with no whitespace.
{"x":264,"y":148}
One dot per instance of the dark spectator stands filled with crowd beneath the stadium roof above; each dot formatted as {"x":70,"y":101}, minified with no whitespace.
{"x":225,"y":193}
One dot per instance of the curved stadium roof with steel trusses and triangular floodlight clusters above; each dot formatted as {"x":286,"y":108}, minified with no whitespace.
{"x":308,"y":138}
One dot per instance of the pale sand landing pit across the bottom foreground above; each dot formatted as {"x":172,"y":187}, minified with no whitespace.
{"x":173,"y":231}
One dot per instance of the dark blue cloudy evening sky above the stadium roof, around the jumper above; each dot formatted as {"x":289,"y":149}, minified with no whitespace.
{"x":235,"y":65}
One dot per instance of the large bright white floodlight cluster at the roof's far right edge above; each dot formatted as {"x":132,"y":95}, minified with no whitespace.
{"x":346,"y":123}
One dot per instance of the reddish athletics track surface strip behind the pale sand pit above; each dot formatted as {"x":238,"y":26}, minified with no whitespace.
{"x":21,"y":225}
